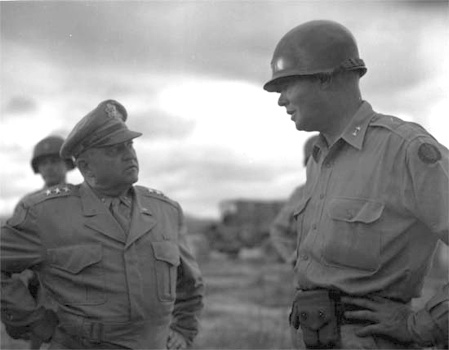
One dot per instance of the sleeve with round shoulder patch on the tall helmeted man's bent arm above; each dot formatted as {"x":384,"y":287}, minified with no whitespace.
{"x":427,"y":196}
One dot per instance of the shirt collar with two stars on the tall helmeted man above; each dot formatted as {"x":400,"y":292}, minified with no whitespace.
{"x":354,"y":133}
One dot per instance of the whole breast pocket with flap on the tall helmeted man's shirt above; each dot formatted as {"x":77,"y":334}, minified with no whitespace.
{"x":354,"y":234}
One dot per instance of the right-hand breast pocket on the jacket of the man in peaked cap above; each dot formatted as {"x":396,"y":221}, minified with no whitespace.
{"x":167,"y":258}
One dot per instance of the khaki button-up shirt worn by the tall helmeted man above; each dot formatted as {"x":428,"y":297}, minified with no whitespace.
{"x":374,"y":206}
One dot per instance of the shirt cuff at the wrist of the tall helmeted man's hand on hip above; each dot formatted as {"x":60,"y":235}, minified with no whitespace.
{"x":421,"y":327}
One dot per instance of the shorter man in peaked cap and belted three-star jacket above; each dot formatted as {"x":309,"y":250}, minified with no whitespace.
{"x":113,"y":255}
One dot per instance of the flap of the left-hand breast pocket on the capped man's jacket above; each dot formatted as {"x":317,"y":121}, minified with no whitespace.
{"x":75,"y":258}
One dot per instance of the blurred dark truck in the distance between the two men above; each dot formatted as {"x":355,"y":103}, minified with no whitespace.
{"x":243,"y":224}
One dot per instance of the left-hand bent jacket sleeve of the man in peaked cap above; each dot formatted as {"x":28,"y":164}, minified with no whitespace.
{"x":20,"y":250}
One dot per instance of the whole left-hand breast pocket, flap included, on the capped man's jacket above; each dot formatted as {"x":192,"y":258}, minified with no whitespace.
{"x":76,"y":275}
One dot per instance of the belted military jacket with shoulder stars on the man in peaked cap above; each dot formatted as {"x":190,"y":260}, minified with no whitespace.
{"x":110,"y":286}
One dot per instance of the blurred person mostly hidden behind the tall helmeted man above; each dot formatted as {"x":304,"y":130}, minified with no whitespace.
{"x":283,"y":229}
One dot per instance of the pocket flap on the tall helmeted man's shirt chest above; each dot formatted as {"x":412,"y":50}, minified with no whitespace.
{"x":355,"y":210}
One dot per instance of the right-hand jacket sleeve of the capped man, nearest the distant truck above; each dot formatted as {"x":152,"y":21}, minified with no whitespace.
{"x":189,"y":290}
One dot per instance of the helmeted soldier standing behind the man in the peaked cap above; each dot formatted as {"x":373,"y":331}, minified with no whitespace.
{"x":53,"y":169}
